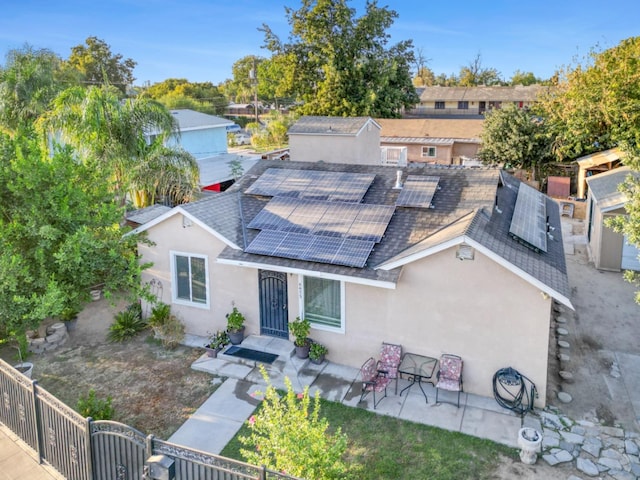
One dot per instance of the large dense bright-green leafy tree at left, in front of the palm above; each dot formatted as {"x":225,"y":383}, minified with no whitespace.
{"x":59,"y":235}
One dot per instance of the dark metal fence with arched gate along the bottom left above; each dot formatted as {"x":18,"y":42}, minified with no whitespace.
{"x":82,"y":449}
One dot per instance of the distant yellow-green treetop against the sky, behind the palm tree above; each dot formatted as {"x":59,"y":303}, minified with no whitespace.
{"x":98,"y":65}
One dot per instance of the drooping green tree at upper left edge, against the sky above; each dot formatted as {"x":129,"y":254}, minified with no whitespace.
{"x":29,"y":80}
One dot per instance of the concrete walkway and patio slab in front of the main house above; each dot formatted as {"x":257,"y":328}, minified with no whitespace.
{"x":216,"y":422}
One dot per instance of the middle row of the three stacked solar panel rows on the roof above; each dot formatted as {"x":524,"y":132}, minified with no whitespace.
{"x":354,"y":221}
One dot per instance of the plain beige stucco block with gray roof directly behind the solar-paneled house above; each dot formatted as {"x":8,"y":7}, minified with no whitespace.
{"x":353,"y":140}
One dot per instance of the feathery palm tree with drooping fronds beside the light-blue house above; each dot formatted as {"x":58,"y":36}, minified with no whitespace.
{"x":110,"y":133}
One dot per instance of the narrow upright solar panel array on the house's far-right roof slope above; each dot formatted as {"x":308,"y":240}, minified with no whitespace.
{"x":529,"y":221}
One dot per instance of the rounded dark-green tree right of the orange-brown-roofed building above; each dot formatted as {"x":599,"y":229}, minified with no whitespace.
{"x":516,"y":137}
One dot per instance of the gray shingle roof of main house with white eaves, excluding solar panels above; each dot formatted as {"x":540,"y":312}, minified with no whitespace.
{"x":463,"y":213}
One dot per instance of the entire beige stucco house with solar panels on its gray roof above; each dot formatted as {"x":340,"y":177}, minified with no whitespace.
{"x":432,"y":265}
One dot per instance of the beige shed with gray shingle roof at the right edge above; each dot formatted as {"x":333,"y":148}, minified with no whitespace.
{"x":609,"y":250}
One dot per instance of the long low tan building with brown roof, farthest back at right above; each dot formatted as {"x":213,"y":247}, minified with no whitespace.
{"x":438,"y":100}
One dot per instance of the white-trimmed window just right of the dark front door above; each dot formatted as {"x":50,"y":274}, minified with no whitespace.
{"x":323,"y":303}
